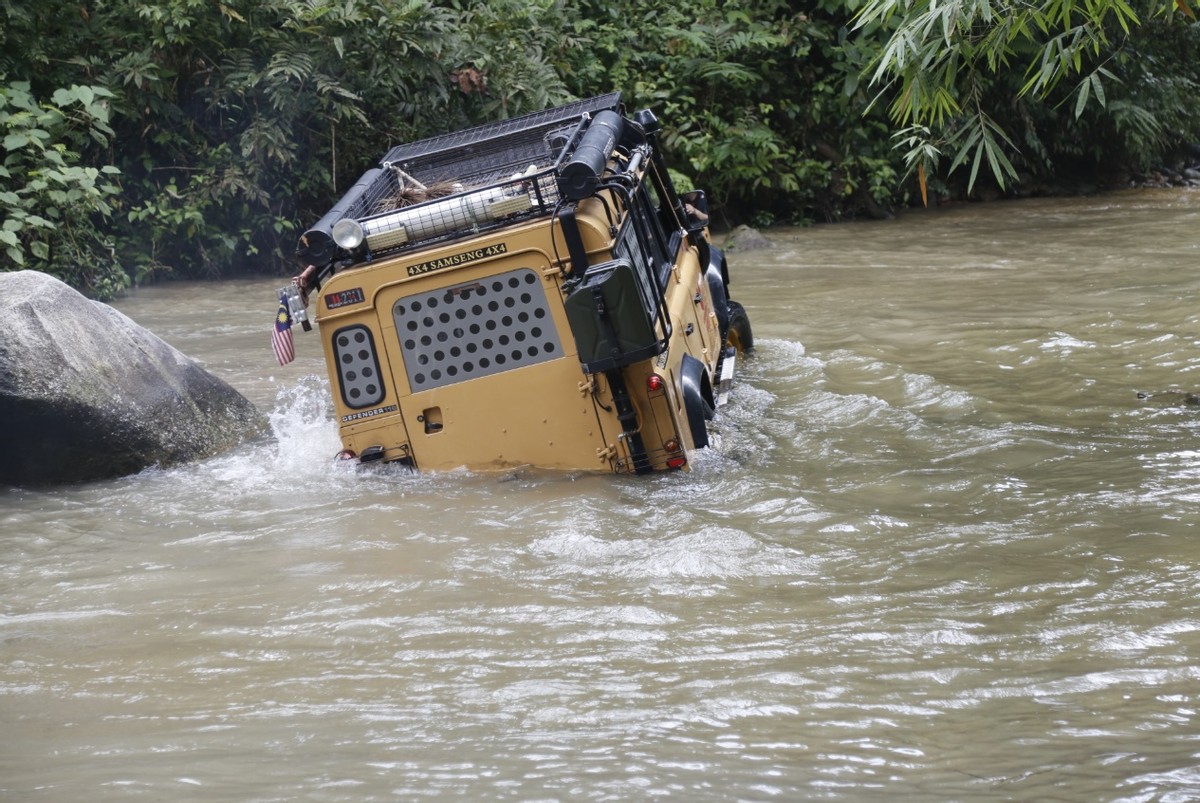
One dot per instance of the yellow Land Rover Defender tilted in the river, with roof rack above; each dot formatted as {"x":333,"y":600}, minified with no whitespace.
{"x":531,"y":292}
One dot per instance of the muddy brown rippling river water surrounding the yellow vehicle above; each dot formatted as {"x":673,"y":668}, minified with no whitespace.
{"x":941,"y":550}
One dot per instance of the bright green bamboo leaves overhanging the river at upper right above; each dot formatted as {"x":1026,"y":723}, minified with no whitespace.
{"x":1067,"y":80}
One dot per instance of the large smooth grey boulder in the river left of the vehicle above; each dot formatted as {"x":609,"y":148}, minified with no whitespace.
{"x":88,"y":394}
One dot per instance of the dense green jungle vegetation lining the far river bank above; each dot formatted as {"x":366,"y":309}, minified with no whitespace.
{"x":196,"y":139}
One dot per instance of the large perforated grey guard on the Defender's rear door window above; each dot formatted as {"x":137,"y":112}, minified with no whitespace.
{"x":477,"y":329}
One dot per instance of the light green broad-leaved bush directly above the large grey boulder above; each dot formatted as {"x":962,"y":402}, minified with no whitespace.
{"x":55,"y":207}
